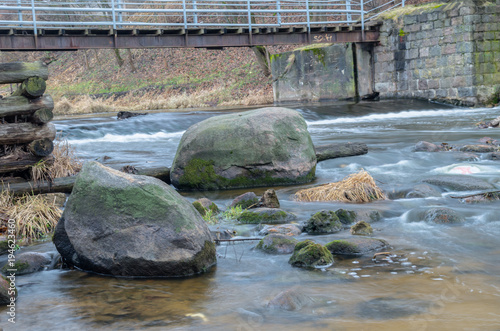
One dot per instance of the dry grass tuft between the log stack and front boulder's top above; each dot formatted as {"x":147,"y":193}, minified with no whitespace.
{"x":65,"y":163}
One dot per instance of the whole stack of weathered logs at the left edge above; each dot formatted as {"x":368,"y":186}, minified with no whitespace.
{"x":26,"y":136}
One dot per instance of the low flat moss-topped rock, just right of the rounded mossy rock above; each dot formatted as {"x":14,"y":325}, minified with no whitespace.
{"x":356,"y":246}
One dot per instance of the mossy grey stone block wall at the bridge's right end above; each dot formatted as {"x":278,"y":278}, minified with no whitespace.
{"x":444,"y":52}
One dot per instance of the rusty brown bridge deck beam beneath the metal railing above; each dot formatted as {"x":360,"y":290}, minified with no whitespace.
{"x":74,"y":39}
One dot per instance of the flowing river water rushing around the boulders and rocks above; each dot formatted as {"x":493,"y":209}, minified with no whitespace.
{"x":441,"y":277}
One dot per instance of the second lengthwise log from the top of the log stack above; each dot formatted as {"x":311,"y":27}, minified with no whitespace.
{"x":23,"y":106}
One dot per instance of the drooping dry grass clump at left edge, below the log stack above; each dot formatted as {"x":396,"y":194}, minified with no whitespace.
{"x":34,"y":216}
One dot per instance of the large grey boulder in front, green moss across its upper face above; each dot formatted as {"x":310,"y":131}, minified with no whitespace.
{"x":129,"y":225}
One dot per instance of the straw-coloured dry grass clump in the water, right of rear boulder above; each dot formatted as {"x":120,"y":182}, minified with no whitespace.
{"x":358,"y":188}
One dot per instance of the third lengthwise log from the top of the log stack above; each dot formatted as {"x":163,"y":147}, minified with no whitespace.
{"x":20,"y":133}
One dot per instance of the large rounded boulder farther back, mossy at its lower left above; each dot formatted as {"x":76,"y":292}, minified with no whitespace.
{"x":262,"y":147}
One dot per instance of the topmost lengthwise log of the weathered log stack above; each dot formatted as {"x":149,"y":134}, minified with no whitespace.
{"x":17,"y":72}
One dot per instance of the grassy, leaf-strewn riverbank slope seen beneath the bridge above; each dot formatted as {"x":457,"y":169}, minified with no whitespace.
{"x":100,"y":81}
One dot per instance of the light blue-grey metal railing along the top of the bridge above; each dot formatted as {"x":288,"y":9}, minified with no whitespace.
{"x":127,"y":14}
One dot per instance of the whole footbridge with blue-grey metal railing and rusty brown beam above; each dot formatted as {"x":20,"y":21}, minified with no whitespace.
{"x":31,"y":25}
